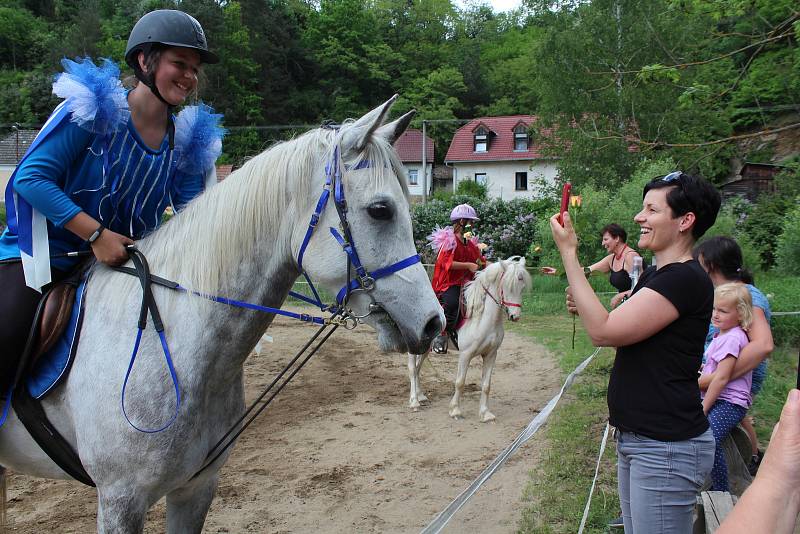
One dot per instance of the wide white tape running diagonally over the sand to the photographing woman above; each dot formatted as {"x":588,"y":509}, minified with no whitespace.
{"x":445,"y":515}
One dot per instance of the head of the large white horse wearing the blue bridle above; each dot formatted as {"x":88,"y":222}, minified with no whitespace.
{"x":362,"y":247}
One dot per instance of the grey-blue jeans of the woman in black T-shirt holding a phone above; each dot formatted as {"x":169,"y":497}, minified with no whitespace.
{"x":659,"y":481}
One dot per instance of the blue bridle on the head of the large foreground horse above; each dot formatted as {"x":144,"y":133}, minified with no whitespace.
{"x":363,"y":280}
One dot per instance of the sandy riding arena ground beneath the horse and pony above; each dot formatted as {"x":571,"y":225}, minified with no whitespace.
{"x":339,"y":450}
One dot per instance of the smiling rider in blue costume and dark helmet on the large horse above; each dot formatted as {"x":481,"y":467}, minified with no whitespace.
{"x":105,"y":167}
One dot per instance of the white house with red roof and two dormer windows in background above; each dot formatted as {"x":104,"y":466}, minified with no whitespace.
{"x":498,"y":151}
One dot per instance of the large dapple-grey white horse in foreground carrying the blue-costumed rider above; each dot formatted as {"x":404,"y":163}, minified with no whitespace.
{"x":240,"y":239}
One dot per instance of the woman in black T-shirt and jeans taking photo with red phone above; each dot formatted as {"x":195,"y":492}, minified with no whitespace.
{"x":665,"y":448}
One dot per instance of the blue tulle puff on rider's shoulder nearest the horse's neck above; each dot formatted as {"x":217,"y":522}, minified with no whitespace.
{"x":198,"y":138}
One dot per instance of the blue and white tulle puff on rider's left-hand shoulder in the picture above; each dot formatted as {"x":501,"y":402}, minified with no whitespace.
{"x":94,"y":94}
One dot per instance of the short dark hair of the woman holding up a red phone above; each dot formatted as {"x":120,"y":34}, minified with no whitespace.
{"x":689,"y":194}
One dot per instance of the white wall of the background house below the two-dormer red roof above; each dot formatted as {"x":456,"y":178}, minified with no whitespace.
{"x":501,"y":176}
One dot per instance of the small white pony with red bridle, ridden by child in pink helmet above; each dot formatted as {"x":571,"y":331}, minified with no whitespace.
{"x":494,"y":293}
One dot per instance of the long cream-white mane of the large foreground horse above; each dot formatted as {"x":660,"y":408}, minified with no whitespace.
{"x":202,"y":246}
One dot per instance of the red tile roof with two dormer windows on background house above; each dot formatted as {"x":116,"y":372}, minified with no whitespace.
{"x":501,"y":144}
